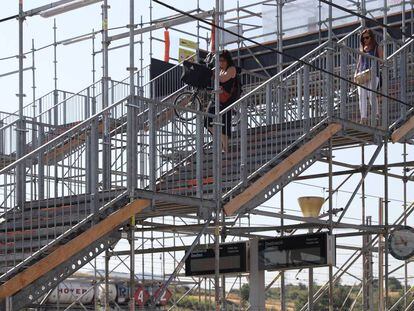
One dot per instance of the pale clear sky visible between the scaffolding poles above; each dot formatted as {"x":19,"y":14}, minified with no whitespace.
{"x":74,"y":66}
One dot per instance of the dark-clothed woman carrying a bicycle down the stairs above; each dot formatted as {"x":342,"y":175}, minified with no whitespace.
{"x":228,"y":95}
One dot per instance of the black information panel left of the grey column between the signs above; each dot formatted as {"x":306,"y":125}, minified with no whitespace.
{"x":232,"y":260}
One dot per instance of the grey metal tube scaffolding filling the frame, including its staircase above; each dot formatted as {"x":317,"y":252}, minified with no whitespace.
{"x":118,"y":178}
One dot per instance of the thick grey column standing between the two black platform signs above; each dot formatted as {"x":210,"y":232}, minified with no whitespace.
{"x":256,"y":279}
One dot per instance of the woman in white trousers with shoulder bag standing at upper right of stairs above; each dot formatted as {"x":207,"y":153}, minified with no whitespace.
{"x":368,"y":46}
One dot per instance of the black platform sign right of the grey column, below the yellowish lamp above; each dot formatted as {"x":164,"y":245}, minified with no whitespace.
{"x":298,"y":251}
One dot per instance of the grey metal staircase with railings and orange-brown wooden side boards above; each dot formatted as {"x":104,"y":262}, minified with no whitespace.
{"x":162,"y":165}
